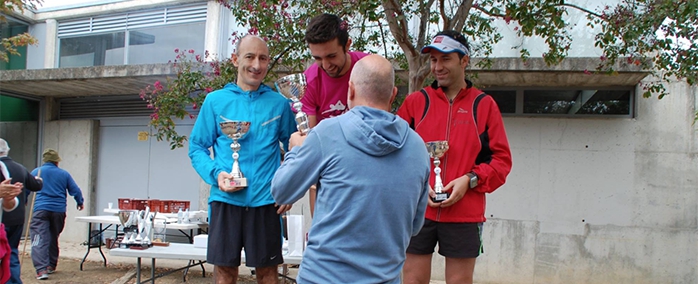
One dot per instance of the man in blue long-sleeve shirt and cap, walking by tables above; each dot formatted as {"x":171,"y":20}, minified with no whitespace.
{"x":49,"y":213}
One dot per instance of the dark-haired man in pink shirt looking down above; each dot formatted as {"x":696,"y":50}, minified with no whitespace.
{"x":328,"y":78}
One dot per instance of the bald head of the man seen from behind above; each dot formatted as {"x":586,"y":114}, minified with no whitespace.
{"x":373,"y":81}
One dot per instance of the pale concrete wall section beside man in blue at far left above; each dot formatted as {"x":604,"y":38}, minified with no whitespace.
{"x":76,"y":143}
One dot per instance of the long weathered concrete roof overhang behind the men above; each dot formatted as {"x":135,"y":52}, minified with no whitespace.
{"x":130,"y":79}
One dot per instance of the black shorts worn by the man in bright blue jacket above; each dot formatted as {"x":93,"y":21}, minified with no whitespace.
{"x":257,"y":229}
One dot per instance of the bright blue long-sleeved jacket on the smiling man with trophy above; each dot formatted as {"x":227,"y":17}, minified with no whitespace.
{"x":272,"y":121}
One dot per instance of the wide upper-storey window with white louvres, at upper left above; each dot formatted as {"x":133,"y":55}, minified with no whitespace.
{"x":135,"y":38}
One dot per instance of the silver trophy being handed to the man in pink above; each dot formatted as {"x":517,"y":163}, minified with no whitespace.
{"x":293,"y":87}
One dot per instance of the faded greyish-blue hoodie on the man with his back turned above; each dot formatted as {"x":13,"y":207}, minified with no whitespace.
{"x":373,"y":174}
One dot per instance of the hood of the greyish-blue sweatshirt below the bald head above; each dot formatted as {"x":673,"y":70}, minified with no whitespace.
{"x":373,"y":131}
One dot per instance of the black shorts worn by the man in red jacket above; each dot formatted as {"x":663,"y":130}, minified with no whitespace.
{"x":457,"y":240}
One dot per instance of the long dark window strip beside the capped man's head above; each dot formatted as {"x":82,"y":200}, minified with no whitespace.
{"x":572,"y":102}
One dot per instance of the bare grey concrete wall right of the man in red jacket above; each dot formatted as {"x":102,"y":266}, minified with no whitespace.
{"x":597,"y":200}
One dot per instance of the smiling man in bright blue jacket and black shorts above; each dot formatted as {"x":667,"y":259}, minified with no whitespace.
{"x":243,"y":216}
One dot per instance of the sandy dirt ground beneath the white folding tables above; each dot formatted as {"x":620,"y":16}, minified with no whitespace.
{"x":94,"y":272}
